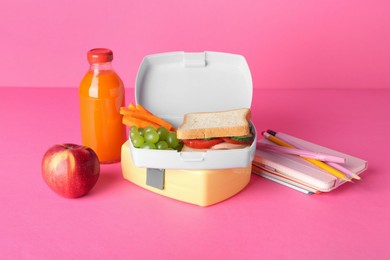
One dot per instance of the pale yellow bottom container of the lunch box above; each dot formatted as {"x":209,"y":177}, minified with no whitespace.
{"x":200,"y":187}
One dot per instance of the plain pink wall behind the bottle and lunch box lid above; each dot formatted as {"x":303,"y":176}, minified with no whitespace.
{"x":288,"y":44}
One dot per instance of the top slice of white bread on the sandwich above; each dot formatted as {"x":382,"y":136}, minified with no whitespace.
{"x":215,"y":124}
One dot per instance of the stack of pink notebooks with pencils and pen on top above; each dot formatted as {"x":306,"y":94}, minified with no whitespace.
{"x":302,"y":165}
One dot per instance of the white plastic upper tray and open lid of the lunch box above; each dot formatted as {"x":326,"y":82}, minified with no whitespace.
{"x":175,"y":83}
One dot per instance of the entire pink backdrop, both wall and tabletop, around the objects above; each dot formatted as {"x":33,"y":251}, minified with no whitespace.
{"x":339,"y":49}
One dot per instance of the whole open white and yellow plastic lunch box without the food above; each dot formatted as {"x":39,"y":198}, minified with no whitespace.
{"x":170,"y":85}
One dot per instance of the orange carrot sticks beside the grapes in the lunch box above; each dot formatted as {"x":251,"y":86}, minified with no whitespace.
{"x":137,"y":115}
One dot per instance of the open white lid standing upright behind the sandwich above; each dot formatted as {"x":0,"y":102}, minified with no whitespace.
{"x":175,"y":83}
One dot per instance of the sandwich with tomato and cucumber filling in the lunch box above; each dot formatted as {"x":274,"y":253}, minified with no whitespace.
{"x":216,"y":130}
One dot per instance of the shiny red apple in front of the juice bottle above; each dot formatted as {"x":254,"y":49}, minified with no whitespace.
{"x":70,"y":170}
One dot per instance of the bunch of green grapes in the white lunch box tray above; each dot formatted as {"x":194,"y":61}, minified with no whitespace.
{"x":150,"y":138}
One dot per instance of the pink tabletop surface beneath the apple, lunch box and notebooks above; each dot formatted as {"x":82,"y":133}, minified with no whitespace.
{"x":119,"y":220}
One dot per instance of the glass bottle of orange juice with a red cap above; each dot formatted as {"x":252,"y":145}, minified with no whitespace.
{"x":101,"y":95}
